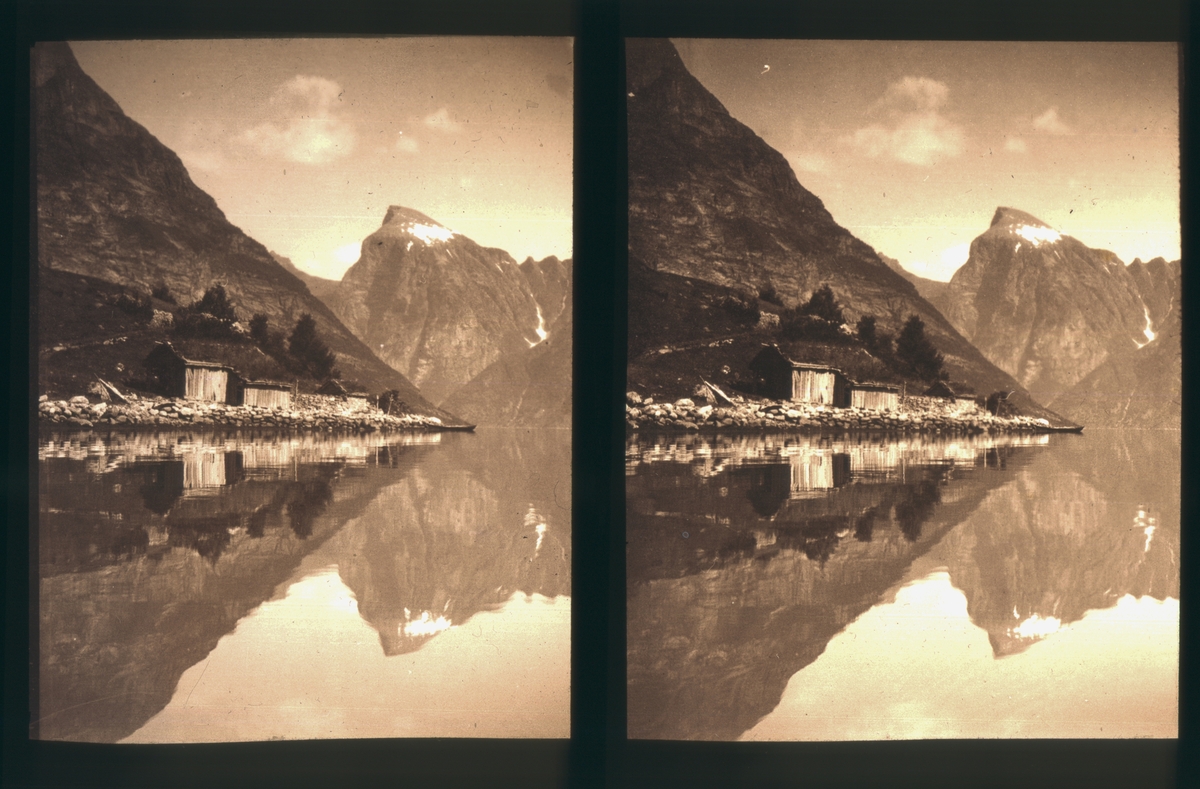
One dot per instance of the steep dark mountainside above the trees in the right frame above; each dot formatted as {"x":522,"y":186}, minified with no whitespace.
{"x":710,"y":201}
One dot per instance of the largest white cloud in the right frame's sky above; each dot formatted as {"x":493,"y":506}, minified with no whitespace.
{"x":916,"y":132}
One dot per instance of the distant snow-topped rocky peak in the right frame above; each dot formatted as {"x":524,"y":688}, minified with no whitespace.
{"x":1049,"y":310}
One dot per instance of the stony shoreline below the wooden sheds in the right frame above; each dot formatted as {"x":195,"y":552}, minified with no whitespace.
{"x":915,"y":415}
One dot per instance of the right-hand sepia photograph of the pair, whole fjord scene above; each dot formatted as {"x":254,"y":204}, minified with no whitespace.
{"x":903,"y":454}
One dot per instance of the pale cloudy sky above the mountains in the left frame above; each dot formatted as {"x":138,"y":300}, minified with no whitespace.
{"x":305,"y":143}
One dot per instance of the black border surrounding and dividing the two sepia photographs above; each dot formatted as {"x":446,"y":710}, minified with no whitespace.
{"x":598,"y":754}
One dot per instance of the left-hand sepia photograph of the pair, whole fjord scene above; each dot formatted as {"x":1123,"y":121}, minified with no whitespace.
{"x":303,"y":323}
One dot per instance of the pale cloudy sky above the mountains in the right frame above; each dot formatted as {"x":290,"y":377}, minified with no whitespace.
{"x":914,"y":146}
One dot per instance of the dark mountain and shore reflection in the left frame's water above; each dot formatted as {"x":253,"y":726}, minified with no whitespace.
{"x":153,"y":546}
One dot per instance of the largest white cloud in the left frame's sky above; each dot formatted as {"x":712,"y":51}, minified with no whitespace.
{"x":311,"y":134}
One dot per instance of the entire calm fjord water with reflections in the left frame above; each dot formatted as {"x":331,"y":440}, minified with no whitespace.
{"x":230,"y":586}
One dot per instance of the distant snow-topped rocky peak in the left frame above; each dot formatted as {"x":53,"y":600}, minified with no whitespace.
{"x":435,"y":305}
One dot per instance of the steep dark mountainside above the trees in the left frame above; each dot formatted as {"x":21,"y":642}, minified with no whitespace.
{"x":116,"y":204}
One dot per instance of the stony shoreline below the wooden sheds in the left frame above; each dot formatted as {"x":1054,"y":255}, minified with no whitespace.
{"x":165,"y":412}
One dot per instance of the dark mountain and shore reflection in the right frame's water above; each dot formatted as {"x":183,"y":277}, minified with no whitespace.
{"x":748,"y":555}
